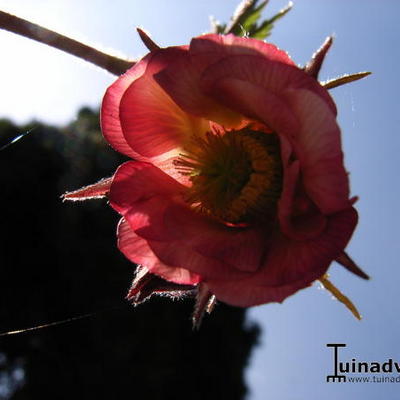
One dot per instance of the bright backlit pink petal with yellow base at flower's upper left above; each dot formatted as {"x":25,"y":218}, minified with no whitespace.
{"x":139,"y":119}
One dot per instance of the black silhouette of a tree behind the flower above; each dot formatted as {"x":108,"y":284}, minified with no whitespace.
{"x":60,"y":260}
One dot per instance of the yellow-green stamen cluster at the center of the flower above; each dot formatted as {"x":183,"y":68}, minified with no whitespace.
{"x":236,"y":177}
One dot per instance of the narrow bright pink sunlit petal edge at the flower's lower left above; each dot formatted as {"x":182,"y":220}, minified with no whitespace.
{"x":138,"y":251}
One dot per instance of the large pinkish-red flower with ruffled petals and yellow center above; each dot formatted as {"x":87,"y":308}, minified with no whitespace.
{"x":237,"y":182}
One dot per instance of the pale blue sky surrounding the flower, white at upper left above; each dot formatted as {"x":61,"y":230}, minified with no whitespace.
{"x":293,"y":361}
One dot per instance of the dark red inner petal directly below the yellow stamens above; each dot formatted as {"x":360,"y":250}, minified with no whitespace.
{"x":211,"y":249}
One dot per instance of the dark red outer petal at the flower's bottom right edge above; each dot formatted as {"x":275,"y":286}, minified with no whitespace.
{"x":291,"y":265}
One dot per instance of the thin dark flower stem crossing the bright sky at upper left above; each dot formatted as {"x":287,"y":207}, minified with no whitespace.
{"x":114,"y":65}
